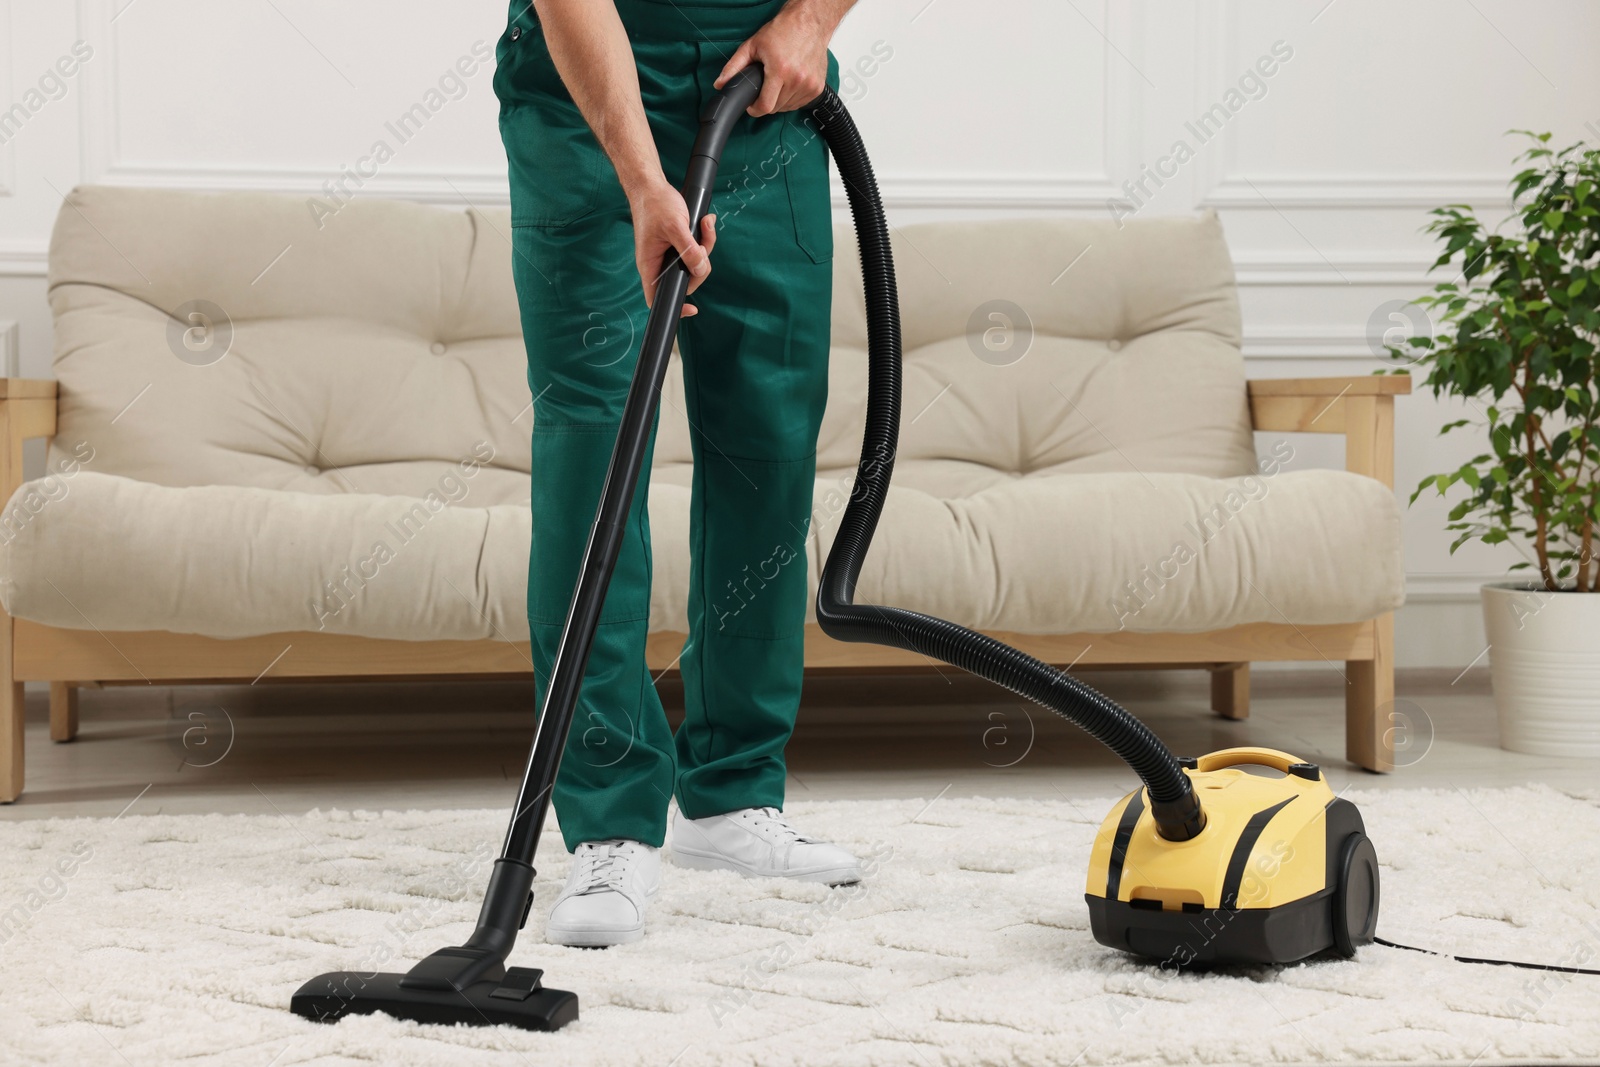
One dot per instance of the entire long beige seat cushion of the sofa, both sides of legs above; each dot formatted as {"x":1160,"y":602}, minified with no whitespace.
{"x":1047,"y":554}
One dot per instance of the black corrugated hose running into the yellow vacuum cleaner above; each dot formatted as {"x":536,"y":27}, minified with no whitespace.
{"x":1174,"y":802}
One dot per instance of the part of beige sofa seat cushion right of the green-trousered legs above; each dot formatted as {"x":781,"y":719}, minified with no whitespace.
{"x":1161,"y":553}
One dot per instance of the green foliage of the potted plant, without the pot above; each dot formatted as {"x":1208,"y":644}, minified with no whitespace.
{"x":1518,"y":335}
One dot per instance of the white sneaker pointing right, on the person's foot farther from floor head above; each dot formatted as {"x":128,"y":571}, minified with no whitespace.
{"x":758,"y":842}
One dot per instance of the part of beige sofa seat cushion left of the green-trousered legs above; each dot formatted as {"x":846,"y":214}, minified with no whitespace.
{"x":228,"y":561}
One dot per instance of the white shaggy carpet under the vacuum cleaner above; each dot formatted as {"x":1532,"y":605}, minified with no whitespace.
{"x":178,"y":940}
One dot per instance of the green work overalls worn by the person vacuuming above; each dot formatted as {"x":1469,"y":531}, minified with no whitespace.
{"x":756,"y":383}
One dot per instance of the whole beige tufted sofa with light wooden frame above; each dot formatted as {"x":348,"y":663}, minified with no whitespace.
{"x":329,"y":479}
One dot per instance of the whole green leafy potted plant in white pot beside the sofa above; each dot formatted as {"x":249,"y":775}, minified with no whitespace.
{"x":1518,"y":332}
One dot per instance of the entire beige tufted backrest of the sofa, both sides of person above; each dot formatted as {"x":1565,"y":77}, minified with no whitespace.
{"x":378,"y":350}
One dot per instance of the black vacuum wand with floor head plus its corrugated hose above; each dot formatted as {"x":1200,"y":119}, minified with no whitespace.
{"x":470,"y":983}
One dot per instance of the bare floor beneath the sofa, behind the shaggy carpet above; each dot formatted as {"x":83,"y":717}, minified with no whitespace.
{"x":295,"y":748}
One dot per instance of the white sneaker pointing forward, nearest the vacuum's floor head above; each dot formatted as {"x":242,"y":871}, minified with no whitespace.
{"x":606,"y":897}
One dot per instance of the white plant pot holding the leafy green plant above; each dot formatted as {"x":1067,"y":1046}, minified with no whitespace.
{"x":1545,"y":661}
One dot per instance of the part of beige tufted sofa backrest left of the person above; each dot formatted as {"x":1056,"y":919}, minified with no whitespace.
{"x":372,"y":353}
